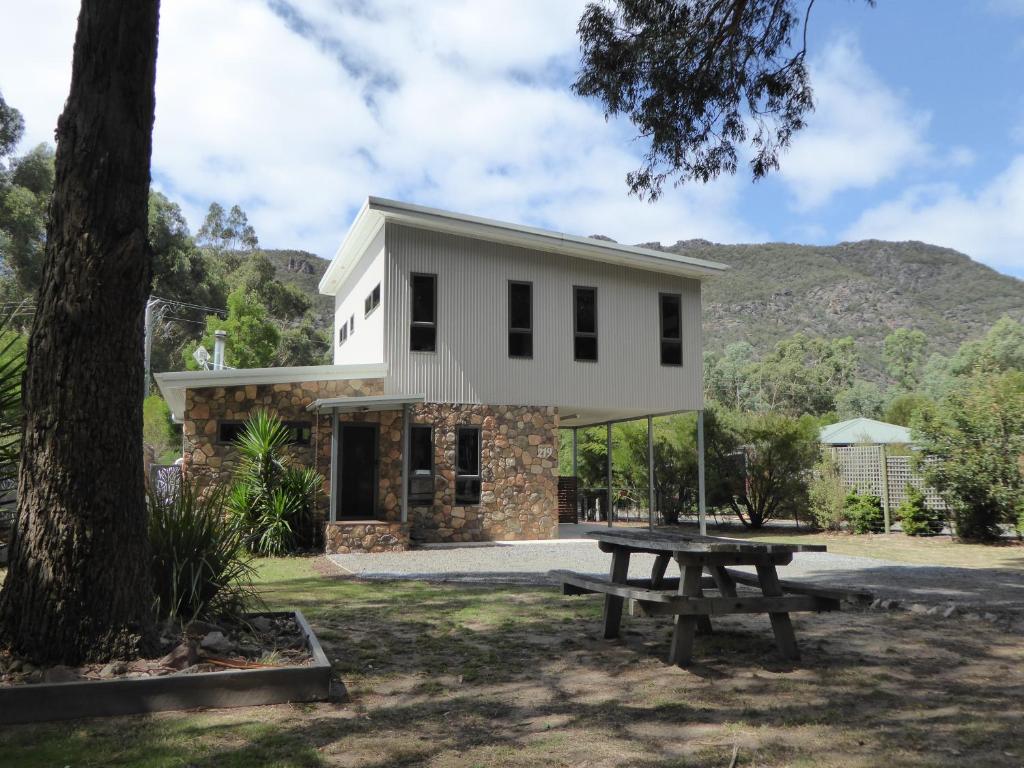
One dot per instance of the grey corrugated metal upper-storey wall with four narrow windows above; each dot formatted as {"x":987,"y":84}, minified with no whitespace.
{"x":472,"y":364}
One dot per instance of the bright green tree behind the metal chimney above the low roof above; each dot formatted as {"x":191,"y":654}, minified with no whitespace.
{"x":252,"y":338}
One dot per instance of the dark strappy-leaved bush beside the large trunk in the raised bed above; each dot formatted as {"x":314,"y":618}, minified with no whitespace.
{"x":200,"y":567}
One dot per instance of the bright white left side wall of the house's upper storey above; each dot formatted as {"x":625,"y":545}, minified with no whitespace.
{"x":366,"y":343}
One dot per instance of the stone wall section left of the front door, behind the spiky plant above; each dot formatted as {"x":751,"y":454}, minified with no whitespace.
{"x":211,"y":463}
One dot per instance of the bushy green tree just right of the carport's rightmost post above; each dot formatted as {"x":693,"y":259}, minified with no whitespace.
{"x":763,"y":465}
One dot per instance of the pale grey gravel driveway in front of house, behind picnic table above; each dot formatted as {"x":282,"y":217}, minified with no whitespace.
{"x":529,"y":563}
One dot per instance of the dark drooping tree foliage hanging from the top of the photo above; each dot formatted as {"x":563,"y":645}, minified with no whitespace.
{"x":700,"y":79}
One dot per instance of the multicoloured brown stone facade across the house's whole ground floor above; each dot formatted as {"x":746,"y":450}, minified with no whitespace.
{"x":519,"y":460}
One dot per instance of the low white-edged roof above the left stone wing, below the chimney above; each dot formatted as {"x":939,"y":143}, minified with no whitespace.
{"x":175,"y":385}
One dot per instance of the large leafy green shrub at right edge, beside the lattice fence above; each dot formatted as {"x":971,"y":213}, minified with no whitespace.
{"x":973,"y":442}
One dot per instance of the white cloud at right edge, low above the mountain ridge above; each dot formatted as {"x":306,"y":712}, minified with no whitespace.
{"x":988,"y":226}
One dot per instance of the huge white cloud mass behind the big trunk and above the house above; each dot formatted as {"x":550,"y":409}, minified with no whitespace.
{"x":300,"y":111}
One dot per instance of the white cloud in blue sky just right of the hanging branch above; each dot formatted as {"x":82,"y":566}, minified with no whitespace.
{"x":861,"y":135}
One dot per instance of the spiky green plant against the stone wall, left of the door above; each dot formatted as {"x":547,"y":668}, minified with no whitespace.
{"x":272,"y":504}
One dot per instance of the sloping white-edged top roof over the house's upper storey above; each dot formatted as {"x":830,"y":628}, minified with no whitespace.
{"x":377,"y":211}
